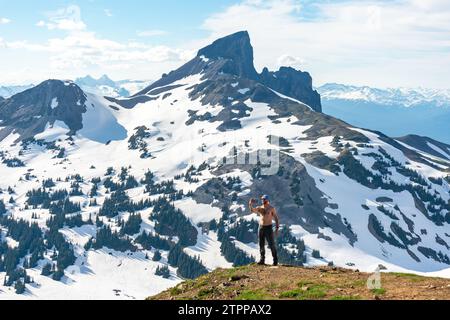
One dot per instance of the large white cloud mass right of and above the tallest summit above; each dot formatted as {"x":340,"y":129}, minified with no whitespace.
{"x":364,"y":42}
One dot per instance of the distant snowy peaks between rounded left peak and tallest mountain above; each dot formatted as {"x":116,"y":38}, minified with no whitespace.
{"x":104,"y":86}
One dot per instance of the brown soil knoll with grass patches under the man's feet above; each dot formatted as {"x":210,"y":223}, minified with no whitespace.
{"x":322,"y":283}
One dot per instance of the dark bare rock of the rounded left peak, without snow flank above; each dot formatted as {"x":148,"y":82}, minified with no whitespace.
{"x":29,"y":112}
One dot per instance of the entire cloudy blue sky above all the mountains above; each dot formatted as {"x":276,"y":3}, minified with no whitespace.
{"x":368,"y":42}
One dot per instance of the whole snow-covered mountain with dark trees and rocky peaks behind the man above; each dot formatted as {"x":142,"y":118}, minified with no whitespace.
{"x":128,"y":196}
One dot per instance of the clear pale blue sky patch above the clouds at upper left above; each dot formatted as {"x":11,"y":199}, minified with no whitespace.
{"x":120,"y":20}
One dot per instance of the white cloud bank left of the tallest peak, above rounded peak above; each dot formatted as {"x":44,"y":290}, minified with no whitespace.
{"x":81,"y":49}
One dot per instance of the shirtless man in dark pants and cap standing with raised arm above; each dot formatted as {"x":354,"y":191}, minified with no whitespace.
{"x":267,"y":214}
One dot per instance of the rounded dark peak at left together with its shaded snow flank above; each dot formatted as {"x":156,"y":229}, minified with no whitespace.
{"x":60,"y":104}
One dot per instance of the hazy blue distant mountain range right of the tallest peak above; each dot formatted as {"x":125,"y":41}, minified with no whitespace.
{"x":396,"y":112}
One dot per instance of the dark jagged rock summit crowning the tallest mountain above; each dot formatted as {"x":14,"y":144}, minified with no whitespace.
{"x":232,"y":56}
